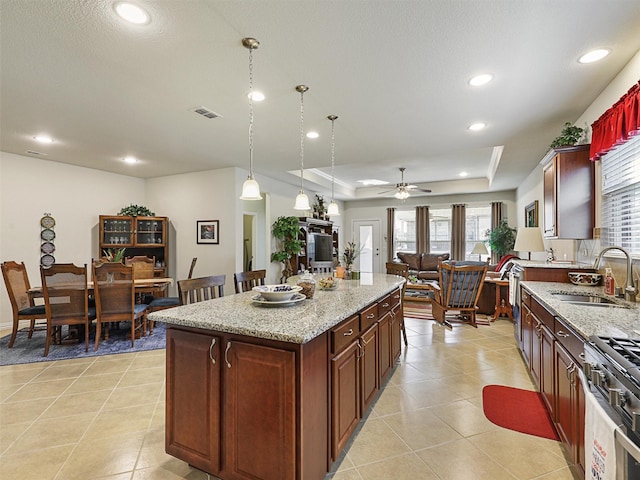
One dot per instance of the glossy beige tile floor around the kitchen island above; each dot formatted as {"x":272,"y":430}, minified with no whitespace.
{"x":103,"y":417}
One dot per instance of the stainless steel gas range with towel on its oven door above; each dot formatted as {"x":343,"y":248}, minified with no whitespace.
{"x":611,"y":374}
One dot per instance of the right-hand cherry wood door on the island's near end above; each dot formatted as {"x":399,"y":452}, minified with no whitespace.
{"x":259,"y":414}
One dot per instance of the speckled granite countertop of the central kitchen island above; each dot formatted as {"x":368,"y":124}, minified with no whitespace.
{"x":298,"y":323}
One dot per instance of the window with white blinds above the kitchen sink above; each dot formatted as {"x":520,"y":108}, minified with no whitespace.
{"x":621,"y":197}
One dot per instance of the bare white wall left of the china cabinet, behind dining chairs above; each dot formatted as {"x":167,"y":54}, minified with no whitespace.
{"x":74,"y":196}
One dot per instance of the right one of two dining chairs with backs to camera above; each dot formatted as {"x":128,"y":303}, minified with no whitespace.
{"x":114,"y":291}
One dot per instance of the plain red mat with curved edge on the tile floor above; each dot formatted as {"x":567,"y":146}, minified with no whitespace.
{"x":517,"y":409}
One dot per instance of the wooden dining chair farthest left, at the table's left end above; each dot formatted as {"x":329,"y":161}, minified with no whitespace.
{"x":17,"y":282}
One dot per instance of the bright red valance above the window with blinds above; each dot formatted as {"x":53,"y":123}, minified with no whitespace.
{"x":617,"y":124}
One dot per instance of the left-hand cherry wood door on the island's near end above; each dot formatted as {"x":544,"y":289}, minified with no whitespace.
{"x":192,"y":427}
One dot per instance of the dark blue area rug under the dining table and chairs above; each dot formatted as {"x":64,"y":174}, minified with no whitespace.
{"x":30,"y":351}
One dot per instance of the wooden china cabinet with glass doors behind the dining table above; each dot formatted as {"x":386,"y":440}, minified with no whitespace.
{"x":146,"y":236}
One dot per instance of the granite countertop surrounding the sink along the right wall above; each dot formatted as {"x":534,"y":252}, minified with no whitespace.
{"x":588,"y":320}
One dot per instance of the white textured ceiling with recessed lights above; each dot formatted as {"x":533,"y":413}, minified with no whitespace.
{"x":395,"y":72}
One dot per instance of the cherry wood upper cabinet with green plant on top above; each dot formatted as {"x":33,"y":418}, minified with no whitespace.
{"x":569,"y":187}
